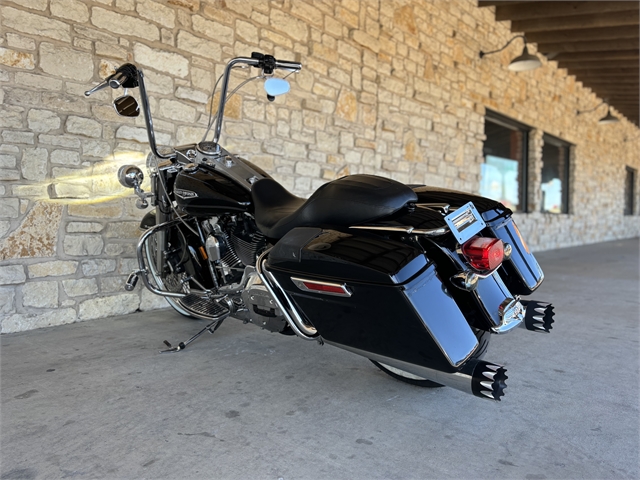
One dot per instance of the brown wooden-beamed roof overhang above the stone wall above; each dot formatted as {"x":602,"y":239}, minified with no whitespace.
{"x":596,"y":41}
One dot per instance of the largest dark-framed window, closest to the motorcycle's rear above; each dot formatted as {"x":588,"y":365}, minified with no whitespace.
{"x":504,"y":172}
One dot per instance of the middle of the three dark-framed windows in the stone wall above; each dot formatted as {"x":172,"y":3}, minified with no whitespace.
{"x":555,"y":175}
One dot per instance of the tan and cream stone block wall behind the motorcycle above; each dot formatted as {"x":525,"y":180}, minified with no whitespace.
{"x":393,"y":88}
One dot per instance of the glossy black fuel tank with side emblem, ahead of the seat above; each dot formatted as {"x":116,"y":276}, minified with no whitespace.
{"x":202,"y":191}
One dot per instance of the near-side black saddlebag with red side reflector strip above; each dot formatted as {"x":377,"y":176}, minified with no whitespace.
{"x":369,"y":294}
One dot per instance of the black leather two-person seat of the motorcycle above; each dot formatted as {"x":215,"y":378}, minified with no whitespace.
{"x":350,"y":200}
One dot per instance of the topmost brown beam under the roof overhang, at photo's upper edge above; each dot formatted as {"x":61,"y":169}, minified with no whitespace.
{"x":555,"y":9}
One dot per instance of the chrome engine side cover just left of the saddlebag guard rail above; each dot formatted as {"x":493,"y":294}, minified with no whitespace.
{"x":262,"y":308}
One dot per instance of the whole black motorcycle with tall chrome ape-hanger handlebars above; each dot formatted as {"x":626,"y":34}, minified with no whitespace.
{"x":414,"y":278}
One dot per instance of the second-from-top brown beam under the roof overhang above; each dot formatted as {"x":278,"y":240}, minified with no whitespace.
{"x":600,"y":20}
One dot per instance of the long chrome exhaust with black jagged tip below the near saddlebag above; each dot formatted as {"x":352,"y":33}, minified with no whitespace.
{"x":477,"y":377}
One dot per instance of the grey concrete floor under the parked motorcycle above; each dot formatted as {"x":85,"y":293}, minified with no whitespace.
{"x":96,"y":400}
